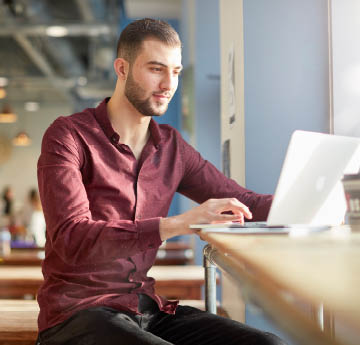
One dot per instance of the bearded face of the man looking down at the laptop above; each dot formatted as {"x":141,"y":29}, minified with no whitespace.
{"x":153,"y":78}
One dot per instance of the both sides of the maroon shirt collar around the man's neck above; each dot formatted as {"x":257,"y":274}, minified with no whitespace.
{"x":102,"y":118}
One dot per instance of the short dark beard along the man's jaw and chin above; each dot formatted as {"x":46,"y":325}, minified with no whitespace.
{"x":134,"y":93}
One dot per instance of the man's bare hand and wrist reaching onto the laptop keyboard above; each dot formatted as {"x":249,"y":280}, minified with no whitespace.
{"x":211,"y":211}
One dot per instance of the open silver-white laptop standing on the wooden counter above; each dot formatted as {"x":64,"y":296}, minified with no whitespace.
{"x":309,"y":193}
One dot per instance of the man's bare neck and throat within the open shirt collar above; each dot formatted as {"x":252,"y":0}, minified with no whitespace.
{"x":132,"y":127}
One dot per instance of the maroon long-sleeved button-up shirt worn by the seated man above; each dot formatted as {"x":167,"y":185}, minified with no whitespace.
{"x":102,"y":209}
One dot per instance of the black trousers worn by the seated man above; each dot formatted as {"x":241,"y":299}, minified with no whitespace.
{"x":188,"y":326}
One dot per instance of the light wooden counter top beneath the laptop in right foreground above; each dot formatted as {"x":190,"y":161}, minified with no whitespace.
{"x":320,"y":269}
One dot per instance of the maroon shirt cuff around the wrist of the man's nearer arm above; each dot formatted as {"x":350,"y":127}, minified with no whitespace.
{"x":149,"y":234}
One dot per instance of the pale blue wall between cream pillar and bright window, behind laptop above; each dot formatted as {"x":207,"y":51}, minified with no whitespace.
{"x":286,"y":81}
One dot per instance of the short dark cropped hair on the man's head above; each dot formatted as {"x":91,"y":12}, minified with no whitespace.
{"x":131,"y":38}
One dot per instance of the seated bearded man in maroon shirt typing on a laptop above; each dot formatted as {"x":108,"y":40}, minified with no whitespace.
{"x":106,"y":178}
